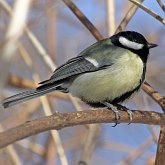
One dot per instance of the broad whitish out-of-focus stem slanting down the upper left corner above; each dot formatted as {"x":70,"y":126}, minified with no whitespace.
{"x":13,"y":33}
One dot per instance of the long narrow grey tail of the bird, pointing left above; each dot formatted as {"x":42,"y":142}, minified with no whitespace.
{"x":29,"y":94}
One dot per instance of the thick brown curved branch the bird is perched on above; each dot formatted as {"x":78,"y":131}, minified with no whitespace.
{"x":61,"y":120}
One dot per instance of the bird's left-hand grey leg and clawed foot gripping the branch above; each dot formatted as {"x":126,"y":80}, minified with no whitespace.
{"x":114,"y":109}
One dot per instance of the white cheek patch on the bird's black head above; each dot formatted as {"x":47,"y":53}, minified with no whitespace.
{"x":130,"y":44}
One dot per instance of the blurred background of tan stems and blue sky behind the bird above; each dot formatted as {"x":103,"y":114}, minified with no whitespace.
{"x":36,"y":36}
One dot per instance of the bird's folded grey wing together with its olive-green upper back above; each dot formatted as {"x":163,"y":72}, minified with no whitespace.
{"x":99,"y":51}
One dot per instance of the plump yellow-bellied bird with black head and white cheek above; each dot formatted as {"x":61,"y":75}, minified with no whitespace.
{"x":105,"y":74}
